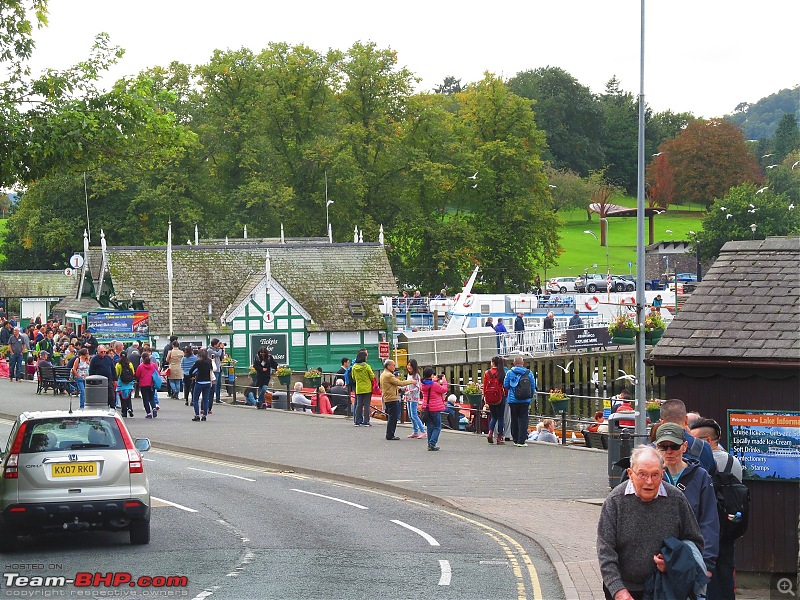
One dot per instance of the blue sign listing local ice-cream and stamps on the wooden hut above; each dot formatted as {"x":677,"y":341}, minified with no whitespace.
{"x":766,"y":442}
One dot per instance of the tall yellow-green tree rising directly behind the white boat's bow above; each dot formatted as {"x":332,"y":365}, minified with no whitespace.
{"x":511,"y":208}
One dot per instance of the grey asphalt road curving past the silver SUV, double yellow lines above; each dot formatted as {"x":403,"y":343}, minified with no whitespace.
{"x":238,"y":531}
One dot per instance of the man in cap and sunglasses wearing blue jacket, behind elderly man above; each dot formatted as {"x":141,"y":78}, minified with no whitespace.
{"x":693,"y":480}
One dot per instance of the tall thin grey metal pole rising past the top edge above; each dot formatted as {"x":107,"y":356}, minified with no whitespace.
{"x":641,"y":389}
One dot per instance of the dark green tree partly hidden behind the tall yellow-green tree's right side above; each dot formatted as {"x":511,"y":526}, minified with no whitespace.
{"x":568,"y":113}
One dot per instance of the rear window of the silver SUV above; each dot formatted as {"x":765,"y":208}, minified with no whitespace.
{"x":72,"y":433}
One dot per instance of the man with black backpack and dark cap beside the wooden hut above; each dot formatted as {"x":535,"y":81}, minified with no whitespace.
{"x":733,"y":506}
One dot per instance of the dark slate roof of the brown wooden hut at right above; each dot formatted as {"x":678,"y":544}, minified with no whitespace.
{"x":747,"y":308}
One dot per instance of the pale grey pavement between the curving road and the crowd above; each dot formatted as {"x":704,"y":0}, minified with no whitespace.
{"x":549,"y":493}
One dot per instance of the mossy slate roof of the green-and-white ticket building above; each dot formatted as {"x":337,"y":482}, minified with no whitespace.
{"x":322,"y":277}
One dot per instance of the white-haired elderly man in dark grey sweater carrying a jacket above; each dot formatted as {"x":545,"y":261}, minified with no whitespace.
{"x":637,"y":516}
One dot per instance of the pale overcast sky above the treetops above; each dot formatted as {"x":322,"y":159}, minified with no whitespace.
{"x":702,"y":56}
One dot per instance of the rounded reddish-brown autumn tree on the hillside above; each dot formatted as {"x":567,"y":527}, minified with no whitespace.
{"x":707,"y":159}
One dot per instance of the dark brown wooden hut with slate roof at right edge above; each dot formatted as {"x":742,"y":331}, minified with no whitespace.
{"x":736,"y":345}
